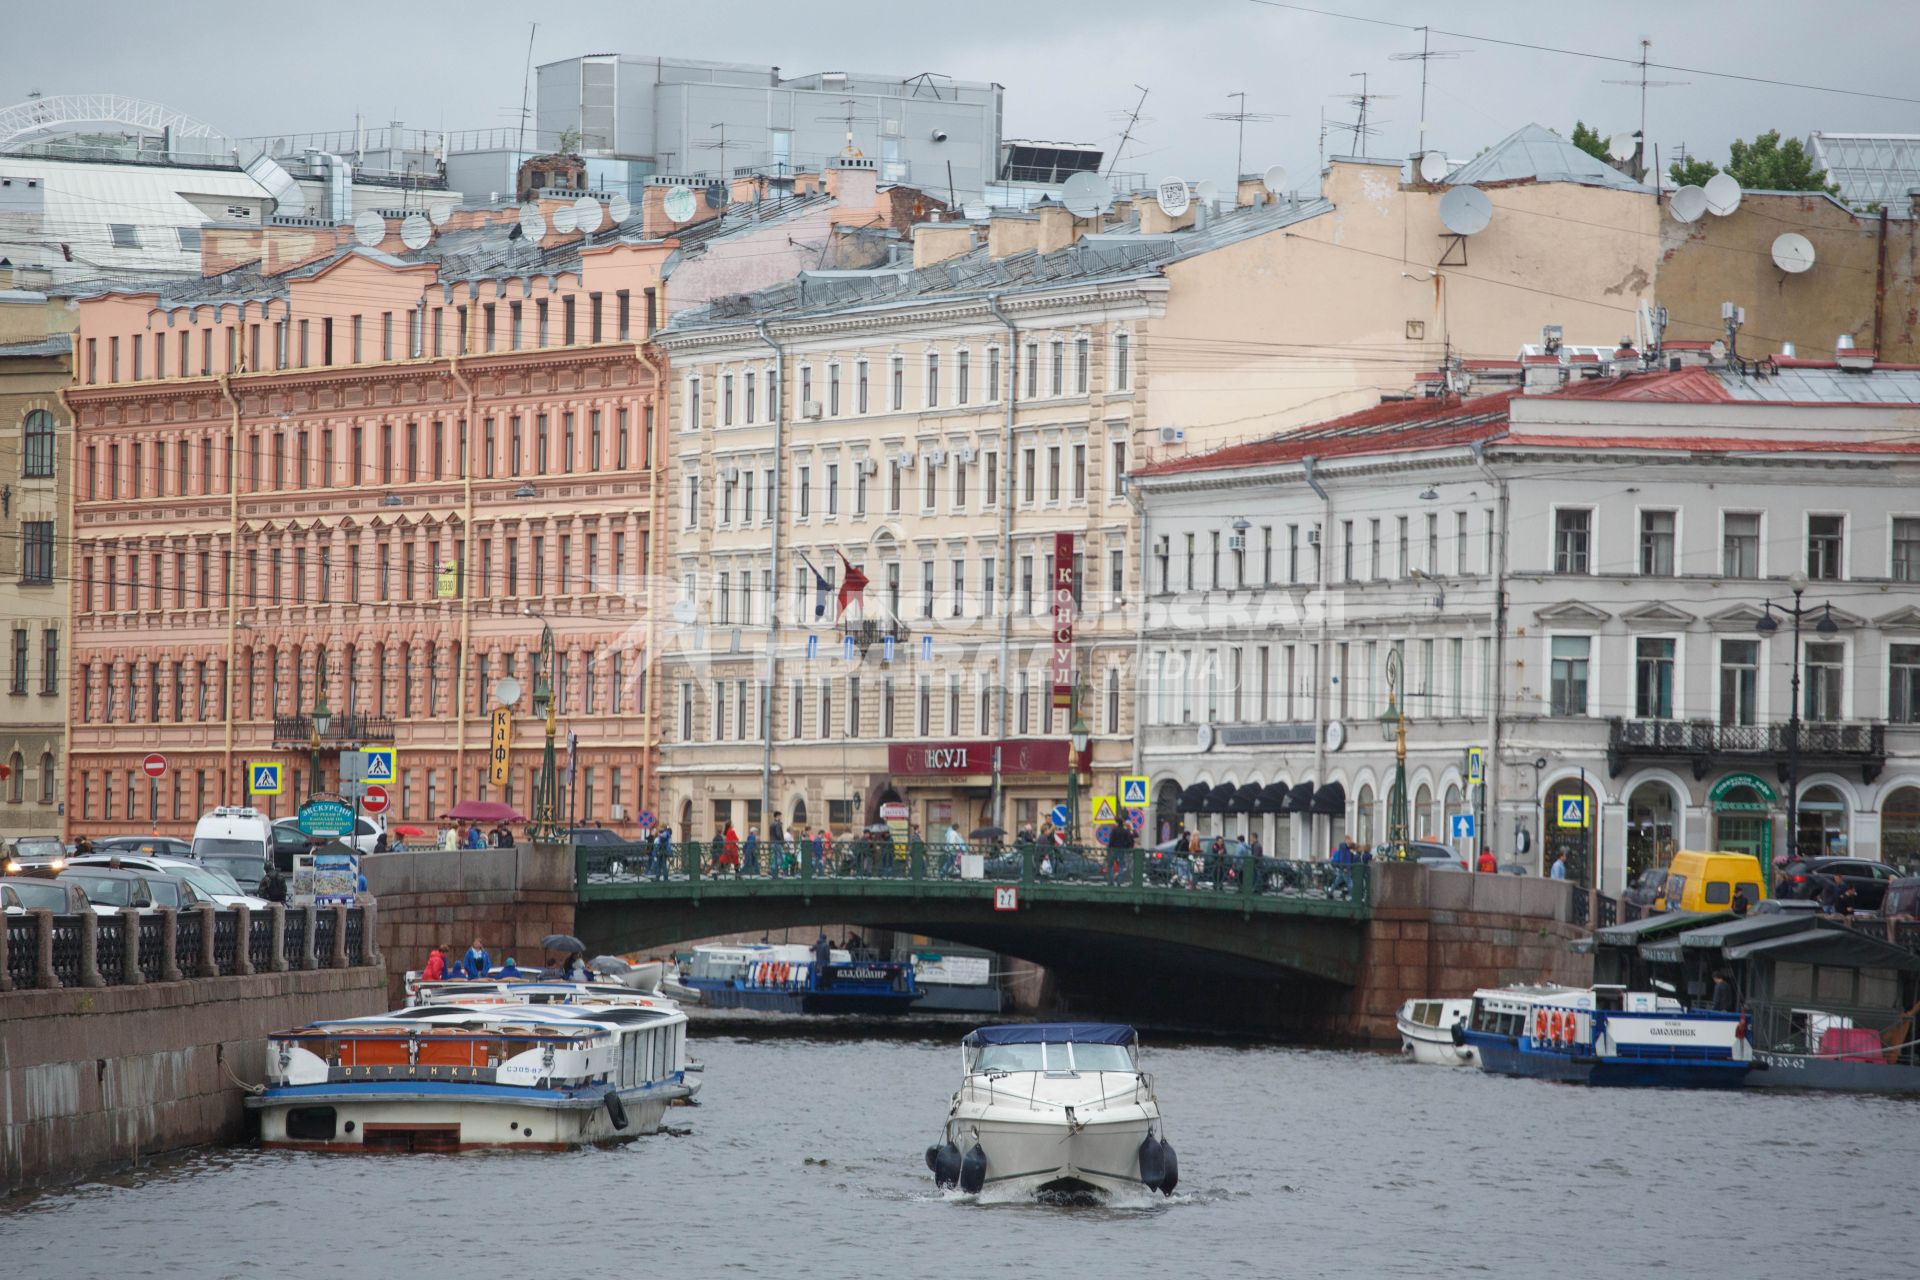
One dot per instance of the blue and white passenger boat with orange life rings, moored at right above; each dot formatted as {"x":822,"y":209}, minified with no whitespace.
{"x":1606,"y":1035}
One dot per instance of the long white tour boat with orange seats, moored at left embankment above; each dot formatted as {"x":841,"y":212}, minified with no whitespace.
{"x":452,"y":1078}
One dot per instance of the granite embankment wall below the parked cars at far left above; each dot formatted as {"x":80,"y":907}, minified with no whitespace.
{"x":93,"y":1078}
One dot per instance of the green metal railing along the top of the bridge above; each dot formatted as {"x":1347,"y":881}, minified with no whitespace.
{"x":636,"y":868}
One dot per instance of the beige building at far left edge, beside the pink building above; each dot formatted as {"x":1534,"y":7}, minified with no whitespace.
{"x":36,"y":479}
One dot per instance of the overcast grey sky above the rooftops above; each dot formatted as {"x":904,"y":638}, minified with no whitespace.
{"x":1070,"y":72}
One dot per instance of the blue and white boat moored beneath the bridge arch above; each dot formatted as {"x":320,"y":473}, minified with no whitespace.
{"x":788,"y":980}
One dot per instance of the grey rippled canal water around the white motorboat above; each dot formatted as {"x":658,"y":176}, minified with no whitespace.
{"x":805,"y":1160}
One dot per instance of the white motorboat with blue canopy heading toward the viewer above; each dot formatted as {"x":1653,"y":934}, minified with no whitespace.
{"x":1053,"y":1108}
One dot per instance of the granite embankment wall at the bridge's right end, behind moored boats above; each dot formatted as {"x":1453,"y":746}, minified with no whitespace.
{"x":1443,"y":934}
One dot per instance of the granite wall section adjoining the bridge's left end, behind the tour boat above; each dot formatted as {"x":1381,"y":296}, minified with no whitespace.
{"x":506,"y":897}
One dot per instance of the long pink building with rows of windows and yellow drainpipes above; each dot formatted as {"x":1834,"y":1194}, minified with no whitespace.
{"x":366,"y":473}
